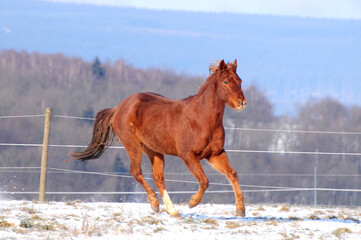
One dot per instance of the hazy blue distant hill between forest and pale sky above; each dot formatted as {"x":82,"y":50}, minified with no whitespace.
{"x":290,"y":59}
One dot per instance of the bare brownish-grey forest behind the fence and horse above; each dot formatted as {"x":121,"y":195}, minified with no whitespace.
{"x":30,"y":82}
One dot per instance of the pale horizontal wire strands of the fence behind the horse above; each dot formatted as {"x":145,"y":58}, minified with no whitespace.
{"x":257,"y":188}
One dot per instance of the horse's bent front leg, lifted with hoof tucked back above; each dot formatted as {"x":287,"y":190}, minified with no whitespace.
{"x":195,"y":167}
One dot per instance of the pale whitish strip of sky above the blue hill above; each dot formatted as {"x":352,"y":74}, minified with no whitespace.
{"x":334,"y":9}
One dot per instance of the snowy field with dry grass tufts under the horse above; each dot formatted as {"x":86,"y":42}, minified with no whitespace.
{"x":79,"y":220}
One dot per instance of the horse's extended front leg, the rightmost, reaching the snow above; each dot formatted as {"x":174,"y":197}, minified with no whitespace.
{"x":221,"y":163}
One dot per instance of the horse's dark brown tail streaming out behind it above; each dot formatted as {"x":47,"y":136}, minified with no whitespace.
{"x":103,"y":135}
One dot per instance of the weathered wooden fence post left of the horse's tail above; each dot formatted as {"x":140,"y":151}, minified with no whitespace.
{"x":44,"y":156}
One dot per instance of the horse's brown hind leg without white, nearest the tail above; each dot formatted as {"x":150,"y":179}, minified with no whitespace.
{"x":135,"y":156}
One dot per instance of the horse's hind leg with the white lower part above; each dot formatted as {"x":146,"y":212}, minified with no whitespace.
{"x":157,"y":161}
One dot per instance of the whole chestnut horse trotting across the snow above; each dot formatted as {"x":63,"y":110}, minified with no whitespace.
{"x":190,"y":128}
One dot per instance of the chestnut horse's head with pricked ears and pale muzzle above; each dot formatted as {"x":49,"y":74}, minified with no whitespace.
{"x":229,"y":84}
